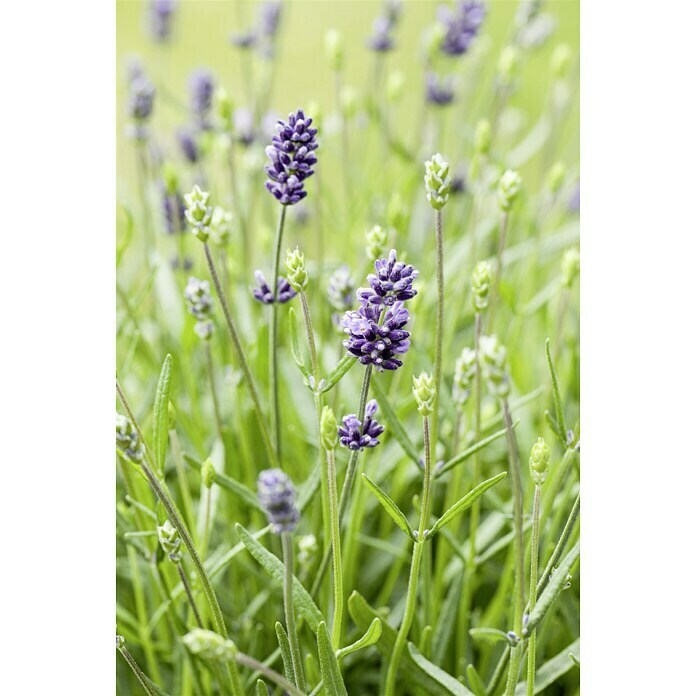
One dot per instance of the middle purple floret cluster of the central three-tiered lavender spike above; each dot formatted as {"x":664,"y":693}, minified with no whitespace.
{"x":374,"y":343}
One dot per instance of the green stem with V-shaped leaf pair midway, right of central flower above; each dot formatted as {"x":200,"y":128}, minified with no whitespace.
{"x":412,"y":592}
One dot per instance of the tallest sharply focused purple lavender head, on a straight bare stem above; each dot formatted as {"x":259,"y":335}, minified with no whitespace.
{"x":292,"y":157}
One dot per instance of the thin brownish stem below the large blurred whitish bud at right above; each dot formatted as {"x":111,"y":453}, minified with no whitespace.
{"x":517,"y":498}
